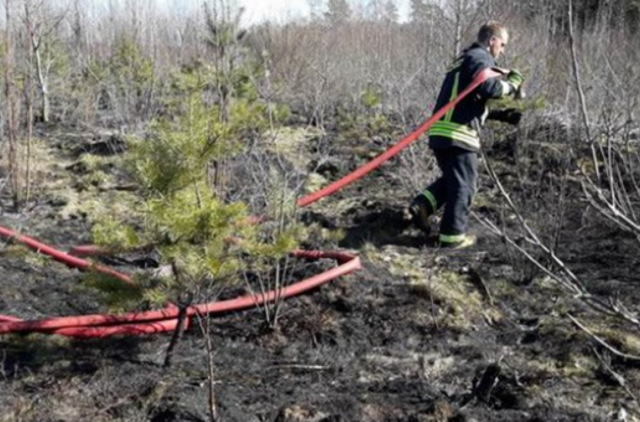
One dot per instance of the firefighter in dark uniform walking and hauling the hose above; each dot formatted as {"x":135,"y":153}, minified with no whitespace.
{"x":454,"y":138}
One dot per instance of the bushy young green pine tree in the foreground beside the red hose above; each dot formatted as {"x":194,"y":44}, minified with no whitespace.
{"x":204,"y":242}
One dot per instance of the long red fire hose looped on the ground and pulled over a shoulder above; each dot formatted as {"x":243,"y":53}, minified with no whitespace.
{"x":87,"y":326}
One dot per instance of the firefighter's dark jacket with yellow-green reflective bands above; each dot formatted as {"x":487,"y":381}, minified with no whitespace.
{"x":459,"y":127}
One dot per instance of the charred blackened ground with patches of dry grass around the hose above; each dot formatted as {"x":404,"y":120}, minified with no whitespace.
{"x":417,"y":335}
